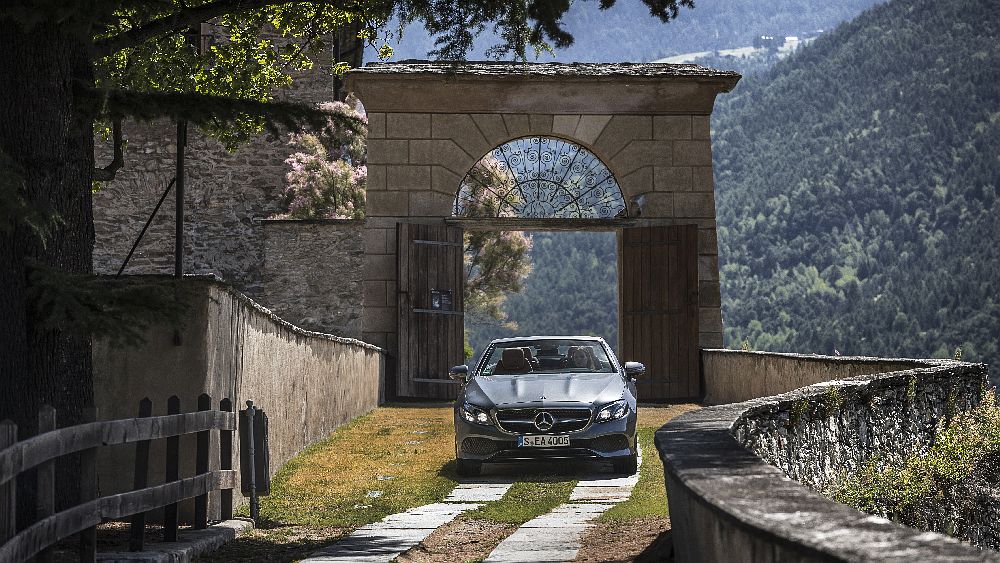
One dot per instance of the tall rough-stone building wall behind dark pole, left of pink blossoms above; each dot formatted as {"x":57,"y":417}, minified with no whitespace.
{"x":227,"y":194}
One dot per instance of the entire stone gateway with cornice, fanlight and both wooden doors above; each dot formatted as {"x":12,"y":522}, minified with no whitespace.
{"x":512,"y":146}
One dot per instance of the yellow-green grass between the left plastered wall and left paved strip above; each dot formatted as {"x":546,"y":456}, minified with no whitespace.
{"x":390,"y":460}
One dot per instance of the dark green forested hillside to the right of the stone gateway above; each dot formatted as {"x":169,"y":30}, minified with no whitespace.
{"x":857,"y":189}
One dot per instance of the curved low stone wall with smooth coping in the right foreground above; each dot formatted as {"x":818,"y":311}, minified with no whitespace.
{"x":728,"y":504}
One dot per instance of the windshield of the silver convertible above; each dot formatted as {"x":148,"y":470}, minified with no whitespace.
{"x":546,"y":356}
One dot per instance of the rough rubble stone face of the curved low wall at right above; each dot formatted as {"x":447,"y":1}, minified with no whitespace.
{"x":820,"y":433}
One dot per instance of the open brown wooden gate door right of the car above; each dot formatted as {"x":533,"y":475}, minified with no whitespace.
{"x":659,"y":309}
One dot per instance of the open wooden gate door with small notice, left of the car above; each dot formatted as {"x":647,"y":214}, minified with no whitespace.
{"x":431,"y":318}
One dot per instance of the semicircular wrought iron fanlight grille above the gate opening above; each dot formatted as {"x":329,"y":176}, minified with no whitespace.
{"x":540,"y":177}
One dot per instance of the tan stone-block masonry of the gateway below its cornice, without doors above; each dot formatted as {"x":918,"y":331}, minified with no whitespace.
{"x":416,"y":162}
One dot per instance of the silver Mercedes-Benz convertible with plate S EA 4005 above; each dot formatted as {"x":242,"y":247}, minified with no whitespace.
{"x":546,"y":397}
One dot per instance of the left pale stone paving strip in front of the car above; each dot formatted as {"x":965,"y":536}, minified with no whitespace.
{"x":384,"y":541}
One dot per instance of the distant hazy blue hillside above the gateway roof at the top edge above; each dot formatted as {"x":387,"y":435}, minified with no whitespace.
{"x":626,"y":32}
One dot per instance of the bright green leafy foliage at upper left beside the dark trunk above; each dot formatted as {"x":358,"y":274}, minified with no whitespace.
{"x":251,"y":51}
